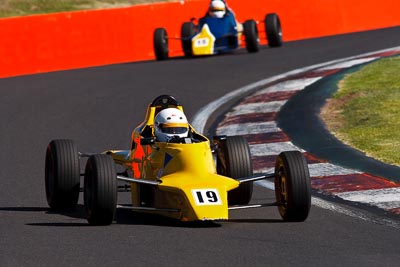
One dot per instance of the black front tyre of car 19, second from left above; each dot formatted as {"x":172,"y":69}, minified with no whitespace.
{"x":100,"y":190}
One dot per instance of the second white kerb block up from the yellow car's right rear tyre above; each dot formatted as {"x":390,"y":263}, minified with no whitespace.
{"x":261,"y":107}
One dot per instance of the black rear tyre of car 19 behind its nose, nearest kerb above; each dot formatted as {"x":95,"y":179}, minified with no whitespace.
{"x":234,"y":160}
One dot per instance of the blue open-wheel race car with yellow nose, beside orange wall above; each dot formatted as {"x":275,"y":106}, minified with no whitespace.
{"x":215,"y":35}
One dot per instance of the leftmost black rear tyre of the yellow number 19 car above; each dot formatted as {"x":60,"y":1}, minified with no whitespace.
{"x":62,"y":174}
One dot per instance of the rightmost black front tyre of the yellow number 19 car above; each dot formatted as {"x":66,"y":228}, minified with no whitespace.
{"x":292,"y":186}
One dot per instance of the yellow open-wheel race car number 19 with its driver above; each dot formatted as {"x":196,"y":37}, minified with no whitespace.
{"x":184,"y":175}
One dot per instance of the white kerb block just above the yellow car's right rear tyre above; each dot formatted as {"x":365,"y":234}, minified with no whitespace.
{"x":249,"y":128}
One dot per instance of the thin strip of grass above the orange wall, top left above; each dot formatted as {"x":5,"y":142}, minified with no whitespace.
{"x":9,"y":8}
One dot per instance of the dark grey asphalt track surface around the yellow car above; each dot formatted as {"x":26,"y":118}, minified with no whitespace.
{"x":98,"y":107}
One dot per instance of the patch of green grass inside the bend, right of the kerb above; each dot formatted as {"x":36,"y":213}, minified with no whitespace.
{"x":367,"y":106}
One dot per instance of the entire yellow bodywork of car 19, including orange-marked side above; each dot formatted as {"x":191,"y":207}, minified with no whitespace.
{"x":189,"y":186}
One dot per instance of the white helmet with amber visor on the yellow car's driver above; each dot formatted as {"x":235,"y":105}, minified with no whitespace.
{"x":170,"y":122}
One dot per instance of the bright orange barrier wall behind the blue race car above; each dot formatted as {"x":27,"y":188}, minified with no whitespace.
{"x":60,"y":41}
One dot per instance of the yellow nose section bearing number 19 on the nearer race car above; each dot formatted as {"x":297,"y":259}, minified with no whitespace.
{"x":189,"y":181}
